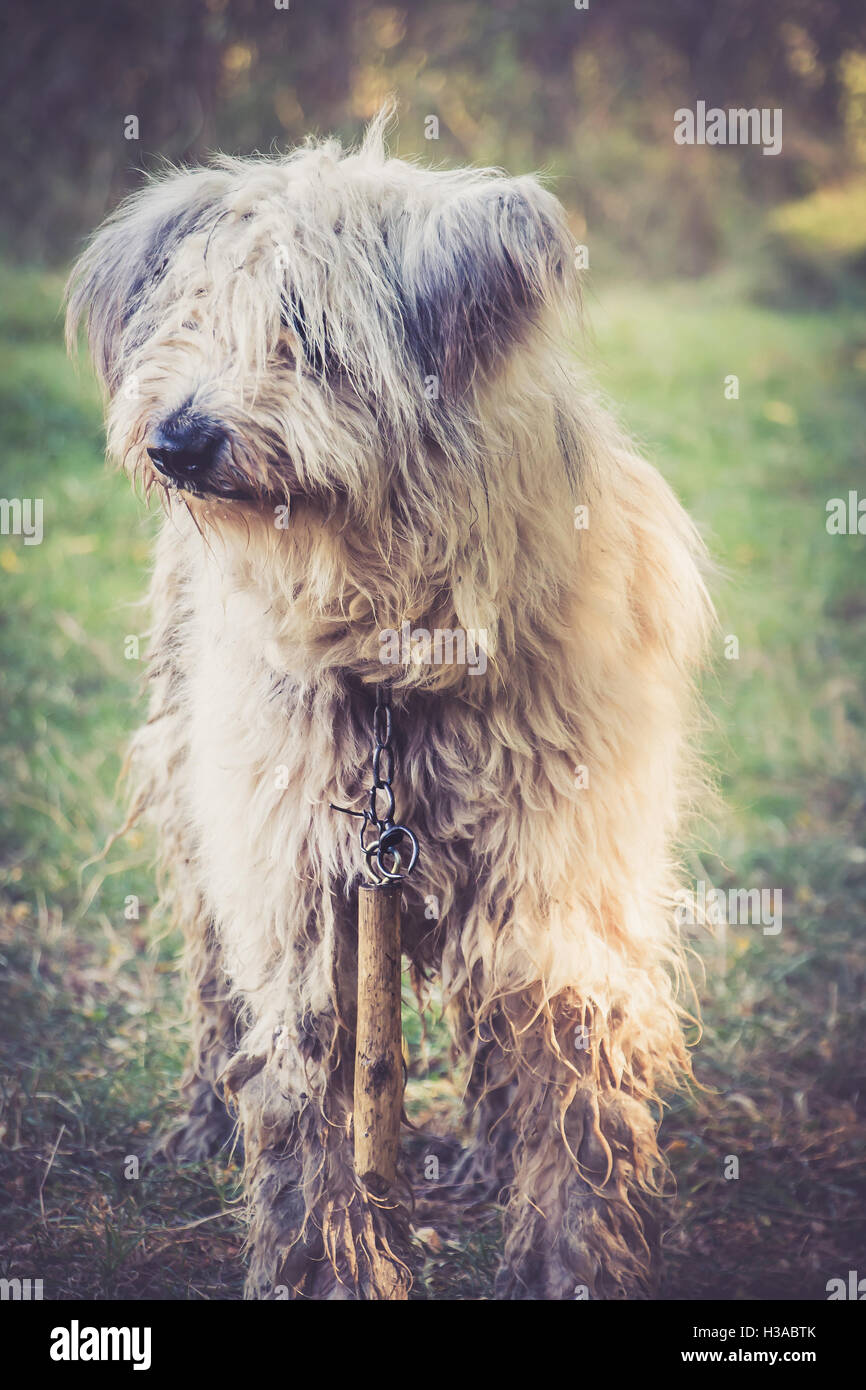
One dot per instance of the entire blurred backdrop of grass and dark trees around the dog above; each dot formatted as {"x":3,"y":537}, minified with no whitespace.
{"x":704,"y":262}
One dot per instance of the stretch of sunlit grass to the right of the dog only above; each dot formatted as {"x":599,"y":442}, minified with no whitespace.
{"x":785,"y":1027}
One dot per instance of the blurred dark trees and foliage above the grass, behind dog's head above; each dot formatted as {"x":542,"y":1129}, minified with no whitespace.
{"x":586,"y":94}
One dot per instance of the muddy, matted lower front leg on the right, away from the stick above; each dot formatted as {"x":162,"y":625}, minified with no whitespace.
{"x":583,"y":1157}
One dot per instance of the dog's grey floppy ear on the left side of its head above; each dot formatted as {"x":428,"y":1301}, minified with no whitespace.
{"x":127,"y":258}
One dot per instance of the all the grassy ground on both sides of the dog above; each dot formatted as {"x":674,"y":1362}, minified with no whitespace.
{"x":91,"y":1039}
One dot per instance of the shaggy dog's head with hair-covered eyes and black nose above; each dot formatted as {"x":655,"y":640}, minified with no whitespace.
{"x":319,"y":326}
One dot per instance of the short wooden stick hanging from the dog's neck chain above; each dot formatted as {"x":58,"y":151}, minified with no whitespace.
{"x":379,"y":1054}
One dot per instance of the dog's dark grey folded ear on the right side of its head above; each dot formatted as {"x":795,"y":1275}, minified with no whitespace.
{"x":477,"y":273}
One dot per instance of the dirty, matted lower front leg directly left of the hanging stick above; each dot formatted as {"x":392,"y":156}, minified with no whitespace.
{"x":315,"y":1231}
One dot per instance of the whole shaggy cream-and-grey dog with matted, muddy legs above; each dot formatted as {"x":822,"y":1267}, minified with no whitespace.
{"x":351,"y":382}
